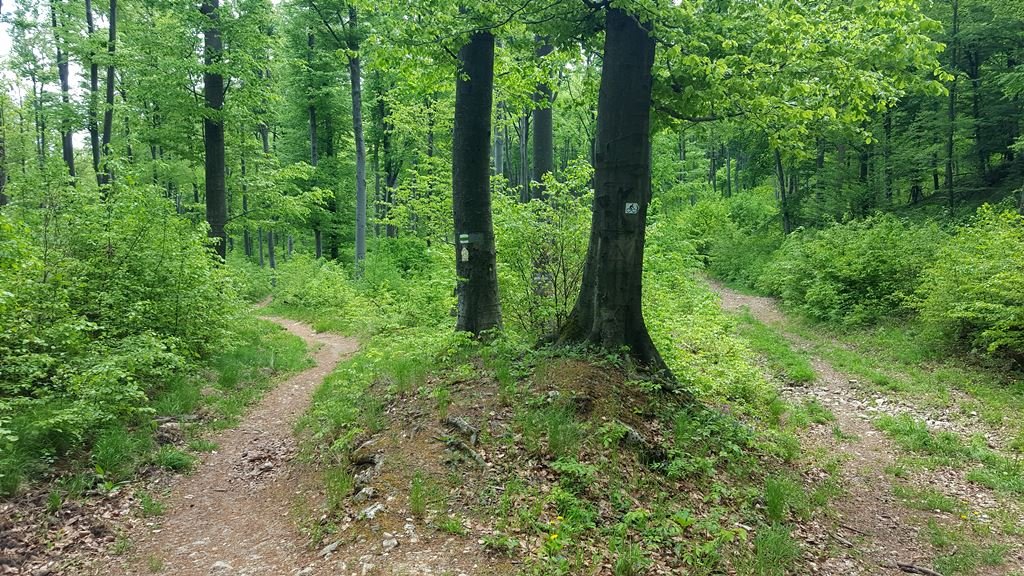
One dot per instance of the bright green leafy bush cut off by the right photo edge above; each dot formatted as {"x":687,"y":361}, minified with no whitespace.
{"x":972,"y":290}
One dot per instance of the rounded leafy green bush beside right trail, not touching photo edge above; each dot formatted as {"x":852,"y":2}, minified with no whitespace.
{"x":854,"y":273}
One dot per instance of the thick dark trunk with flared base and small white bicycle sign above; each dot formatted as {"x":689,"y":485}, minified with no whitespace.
{"x":609,"y":312}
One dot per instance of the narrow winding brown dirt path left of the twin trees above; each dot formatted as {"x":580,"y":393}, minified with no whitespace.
{"x":233,"y":516}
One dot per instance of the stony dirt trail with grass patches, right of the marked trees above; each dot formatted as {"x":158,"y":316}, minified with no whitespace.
{"x":873,"y":530}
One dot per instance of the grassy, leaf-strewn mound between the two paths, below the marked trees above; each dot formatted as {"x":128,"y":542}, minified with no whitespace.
{"x":600,"y":465}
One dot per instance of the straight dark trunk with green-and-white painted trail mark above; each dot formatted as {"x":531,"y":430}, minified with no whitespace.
{"x":479,"y":308}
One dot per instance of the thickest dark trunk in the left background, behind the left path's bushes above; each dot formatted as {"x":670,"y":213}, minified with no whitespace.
{"x":214,"y":128}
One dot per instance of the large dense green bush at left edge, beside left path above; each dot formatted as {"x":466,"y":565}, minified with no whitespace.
{"x":102,"y":304}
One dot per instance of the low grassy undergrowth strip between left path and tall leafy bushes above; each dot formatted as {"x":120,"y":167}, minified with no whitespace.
{"x":203,"y":396}
